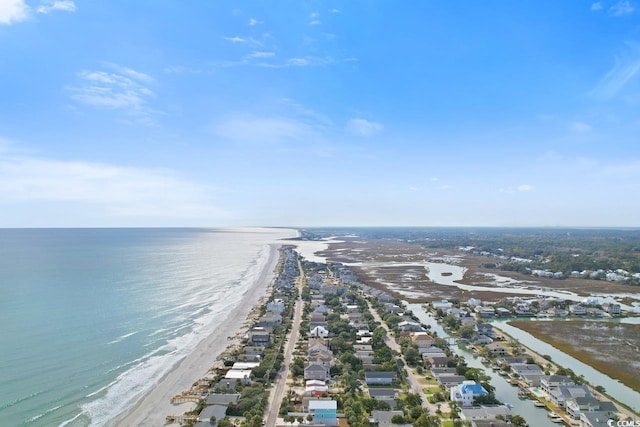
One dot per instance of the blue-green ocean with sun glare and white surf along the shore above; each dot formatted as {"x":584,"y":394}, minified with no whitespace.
{"x":93,"y":318}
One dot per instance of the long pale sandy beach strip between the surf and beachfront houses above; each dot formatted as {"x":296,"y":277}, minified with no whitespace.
{"x":152,"y":408}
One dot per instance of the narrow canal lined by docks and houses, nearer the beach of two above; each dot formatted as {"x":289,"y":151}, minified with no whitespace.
{"x":504,"y":391}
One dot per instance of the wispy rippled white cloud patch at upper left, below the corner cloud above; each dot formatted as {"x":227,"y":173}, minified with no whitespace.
{"x":122,"y":88}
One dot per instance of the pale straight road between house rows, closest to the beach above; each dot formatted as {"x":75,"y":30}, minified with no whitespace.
{"x":277,"y":393}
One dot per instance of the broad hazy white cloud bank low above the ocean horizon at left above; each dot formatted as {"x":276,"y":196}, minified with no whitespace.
{"x":114,"y":190}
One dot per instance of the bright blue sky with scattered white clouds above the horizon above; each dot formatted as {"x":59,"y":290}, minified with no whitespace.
{"x":315,"y":113}
